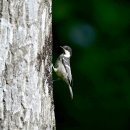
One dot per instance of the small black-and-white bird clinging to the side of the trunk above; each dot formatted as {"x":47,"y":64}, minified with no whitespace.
{"x":62,"y":67}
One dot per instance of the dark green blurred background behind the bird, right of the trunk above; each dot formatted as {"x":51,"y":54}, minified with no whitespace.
{"x":98,"y":31}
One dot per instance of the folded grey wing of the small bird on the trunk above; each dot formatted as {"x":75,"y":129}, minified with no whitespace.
{"x":66,"y":63}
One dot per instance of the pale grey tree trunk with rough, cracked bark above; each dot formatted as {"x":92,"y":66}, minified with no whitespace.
{"x":26,"y":98}
